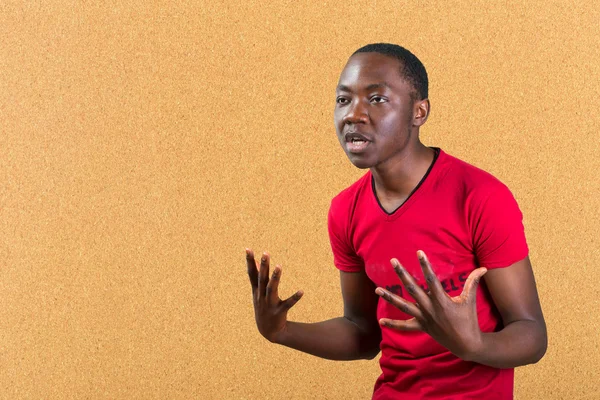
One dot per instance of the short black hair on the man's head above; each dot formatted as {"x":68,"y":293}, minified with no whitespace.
{"x":412,"y":68}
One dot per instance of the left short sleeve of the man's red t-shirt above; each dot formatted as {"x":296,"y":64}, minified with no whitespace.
{"x":344,"y":256}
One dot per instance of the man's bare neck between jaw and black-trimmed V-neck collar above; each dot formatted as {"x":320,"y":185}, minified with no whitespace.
{"x":398,"y":176}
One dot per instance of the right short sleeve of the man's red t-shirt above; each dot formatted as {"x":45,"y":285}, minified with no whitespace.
{"x":497,"y":227}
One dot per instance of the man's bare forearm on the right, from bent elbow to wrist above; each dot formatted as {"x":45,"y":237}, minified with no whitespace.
{"x":519,"y":343}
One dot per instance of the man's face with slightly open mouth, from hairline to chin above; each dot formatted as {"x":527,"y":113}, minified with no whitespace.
{"x":374,"y":109}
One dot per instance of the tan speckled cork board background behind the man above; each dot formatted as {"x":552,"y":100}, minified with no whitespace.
{"x":144,"y":145}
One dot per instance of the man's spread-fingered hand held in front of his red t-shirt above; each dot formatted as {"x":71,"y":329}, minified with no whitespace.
{"x":451,"y":321}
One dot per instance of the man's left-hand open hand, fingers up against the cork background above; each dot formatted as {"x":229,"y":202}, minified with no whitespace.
{"x":270,"y":311}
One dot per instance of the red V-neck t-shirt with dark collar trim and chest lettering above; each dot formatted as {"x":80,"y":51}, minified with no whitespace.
{"x":462,"y":218}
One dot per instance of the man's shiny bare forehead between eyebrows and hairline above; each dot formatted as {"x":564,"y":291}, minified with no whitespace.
{"x":365,"y":69}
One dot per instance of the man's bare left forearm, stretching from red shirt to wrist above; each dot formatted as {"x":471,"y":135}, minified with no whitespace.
{"x":334,"y":339}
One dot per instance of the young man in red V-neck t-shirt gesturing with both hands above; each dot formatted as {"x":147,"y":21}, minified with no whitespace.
{"x":412,"y":238}
